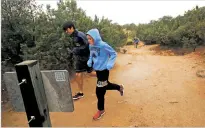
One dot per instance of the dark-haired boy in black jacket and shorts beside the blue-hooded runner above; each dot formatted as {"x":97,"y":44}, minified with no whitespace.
{"x":81,"y":54}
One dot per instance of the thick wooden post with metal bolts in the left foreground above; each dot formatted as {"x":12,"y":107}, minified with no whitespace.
{"x":33,"y":93}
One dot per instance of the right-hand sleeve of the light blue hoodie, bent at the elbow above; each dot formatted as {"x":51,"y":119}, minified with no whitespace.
{"x":112,"y":55}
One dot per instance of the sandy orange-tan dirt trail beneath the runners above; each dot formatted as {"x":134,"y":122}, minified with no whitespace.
{"x":159,"y":91}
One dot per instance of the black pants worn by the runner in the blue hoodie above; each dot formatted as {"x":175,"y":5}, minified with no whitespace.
{"x":102,"y":79}
